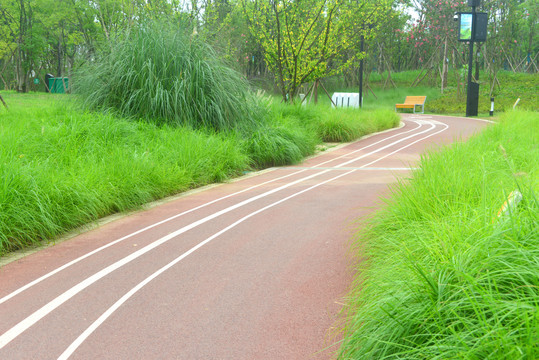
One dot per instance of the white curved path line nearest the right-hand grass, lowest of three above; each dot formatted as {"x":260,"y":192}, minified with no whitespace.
{"x":73,"y":347}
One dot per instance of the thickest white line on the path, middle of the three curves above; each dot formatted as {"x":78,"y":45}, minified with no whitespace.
{"x":22,"y":326}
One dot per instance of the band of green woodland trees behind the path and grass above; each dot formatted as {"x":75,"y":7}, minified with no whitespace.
{"x":278,"y":45}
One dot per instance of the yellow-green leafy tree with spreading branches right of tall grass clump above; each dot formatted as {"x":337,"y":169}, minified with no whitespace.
{"x":306,"y":40}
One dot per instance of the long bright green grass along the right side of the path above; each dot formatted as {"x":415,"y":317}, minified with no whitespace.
{"x":441,"y":276}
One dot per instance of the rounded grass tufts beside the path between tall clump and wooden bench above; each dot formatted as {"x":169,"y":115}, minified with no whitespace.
{"x":288,"y":133}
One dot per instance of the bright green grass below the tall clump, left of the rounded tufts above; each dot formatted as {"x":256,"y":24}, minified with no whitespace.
{"x":61,"y":168}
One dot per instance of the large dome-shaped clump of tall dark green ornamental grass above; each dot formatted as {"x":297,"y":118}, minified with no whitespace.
{"x":160,"y":74}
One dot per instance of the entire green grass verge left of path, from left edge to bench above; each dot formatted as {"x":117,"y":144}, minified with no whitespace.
{"x":62,"y":167}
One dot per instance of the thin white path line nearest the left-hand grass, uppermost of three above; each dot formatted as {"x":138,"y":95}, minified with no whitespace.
{"x":73,"y":262}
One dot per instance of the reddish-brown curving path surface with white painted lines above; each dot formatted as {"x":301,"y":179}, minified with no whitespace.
{"x":252,"y":269}
